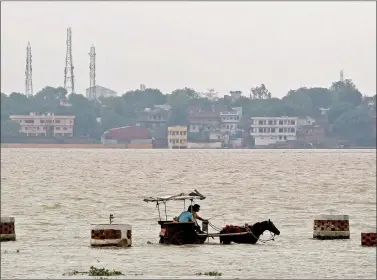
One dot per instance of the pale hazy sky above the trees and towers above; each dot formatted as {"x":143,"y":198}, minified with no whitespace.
{"x":168,"y":45}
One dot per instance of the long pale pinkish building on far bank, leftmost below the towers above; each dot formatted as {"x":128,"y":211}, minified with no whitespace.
{"x":37,"y":124}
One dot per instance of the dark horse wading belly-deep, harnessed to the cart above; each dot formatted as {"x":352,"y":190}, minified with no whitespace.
{"x":255,"y":231}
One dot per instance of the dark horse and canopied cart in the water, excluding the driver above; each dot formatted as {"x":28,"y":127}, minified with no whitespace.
{"x":179,"y":233}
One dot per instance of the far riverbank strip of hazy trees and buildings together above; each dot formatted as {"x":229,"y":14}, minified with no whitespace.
{"x":338,"y":116}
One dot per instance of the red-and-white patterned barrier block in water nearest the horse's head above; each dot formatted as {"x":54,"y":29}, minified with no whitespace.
{"x":331,"y":227}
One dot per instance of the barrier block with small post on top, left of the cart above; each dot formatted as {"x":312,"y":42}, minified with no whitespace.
{"x":106,"y":235}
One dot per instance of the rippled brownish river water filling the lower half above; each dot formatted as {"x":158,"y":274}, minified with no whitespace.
{"x":55,"y":194}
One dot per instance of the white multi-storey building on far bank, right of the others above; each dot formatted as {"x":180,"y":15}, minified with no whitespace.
{"x":270,"y":130}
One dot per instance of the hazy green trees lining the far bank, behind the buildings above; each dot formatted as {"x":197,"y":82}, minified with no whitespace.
{"x":350,"y":117}
